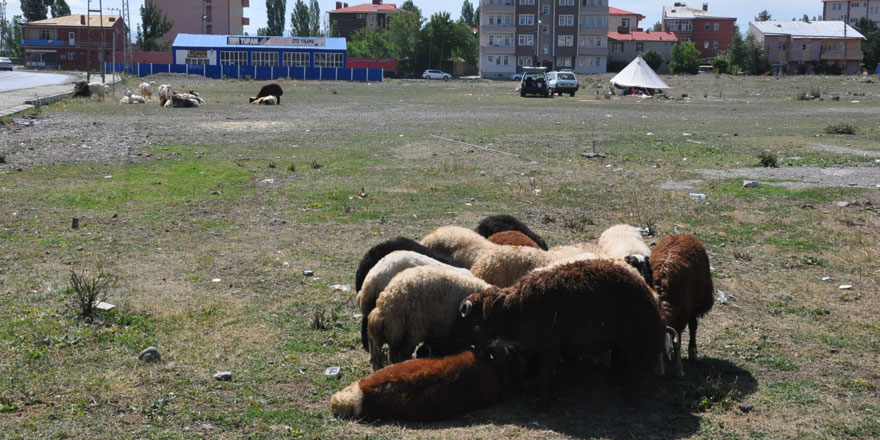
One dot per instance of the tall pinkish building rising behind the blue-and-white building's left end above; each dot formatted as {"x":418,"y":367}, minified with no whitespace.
{"x":218,"y":17}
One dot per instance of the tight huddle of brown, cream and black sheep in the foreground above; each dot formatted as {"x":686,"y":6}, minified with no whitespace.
{"x":493,"y":306}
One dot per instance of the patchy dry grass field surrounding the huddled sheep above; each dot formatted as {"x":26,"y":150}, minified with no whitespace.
{"x":170,"y":200}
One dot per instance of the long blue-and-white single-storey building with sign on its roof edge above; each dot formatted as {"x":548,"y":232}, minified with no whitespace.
{"x":259,"y":51}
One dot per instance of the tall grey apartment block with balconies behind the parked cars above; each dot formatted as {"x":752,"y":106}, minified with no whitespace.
{"x":558,"y":34}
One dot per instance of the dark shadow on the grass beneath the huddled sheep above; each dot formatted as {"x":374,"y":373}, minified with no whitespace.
{"x":586,"y":405}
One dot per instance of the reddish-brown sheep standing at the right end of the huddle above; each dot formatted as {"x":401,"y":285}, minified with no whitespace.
{"x":683,"y":281}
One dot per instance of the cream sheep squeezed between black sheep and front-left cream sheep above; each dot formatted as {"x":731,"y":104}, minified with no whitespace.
{"x":382,"y":273}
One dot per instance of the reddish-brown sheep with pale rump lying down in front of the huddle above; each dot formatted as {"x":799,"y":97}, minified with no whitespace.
{"x":429,"y":389}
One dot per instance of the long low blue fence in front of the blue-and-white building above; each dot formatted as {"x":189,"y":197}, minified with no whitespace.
{"x":252,"y":72}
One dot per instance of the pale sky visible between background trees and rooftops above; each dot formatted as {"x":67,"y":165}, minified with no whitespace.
{"x":743,"y":10}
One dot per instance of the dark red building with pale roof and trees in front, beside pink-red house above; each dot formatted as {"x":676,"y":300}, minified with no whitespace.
{"x":710,"y":33}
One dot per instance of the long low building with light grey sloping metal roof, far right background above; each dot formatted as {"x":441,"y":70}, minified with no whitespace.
{"x":803,"y":47}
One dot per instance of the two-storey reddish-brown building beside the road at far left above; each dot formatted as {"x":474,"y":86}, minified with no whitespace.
{"x":73,"y":42}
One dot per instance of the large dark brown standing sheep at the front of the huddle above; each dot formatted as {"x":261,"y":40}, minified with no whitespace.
{"x":581,"y":308}
